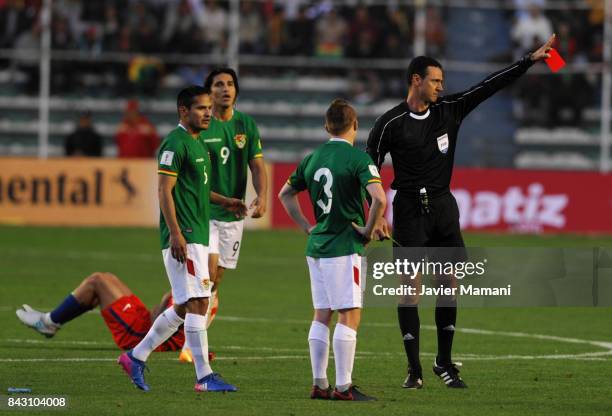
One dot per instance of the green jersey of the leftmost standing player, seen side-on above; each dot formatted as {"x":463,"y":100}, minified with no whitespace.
{"x":186,"y":158}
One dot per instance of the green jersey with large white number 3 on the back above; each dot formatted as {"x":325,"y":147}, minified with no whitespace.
{"x":335,"y":175}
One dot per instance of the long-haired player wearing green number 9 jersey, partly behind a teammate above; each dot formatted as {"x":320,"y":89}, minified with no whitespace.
{"x":235,"y":147}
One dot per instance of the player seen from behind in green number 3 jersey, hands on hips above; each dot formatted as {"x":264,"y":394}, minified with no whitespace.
{"x":337,"y":177}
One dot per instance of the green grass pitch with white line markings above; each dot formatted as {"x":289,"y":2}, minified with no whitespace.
{"x":554,"y":366}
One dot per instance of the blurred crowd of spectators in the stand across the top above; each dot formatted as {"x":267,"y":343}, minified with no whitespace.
{"x":320,"y":28}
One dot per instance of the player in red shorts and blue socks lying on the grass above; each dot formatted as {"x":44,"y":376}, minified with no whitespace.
{"x":127,"y":318}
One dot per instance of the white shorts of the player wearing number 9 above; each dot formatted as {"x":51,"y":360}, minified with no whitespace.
{"x":225,"y":240}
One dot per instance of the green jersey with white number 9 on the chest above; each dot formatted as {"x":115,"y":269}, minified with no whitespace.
{"x":231,"y":144}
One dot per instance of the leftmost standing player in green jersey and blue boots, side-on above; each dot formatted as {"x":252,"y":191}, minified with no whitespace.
{"x":184,"y":200}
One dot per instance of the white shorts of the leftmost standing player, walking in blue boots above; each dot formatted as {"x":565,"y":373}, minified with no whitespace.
{"x":190,"y":279}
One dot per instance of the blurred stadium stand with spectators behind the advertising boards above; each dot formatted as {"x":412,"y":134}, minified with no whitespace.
{"x":288,"y":99}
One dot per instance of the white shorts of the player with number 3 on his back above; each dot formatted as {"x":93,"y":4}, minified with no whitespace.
{"x":336,"y":282}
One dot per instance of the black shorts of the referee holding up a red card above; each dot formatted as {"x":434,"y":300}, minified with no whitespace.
{"x":438,"y":228}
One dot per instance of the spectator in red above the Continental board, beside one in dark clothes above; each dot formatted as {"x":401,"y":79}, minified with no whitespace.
{"x":136,"y":136}
